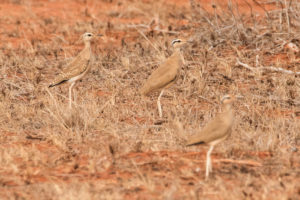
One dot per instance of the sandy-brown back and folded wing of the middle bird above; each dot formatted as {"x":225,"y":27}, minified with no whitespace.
{"x":163,"y":75}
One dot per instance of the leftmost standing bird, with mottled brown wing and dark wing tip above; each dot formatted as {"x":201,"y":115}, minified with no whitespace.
{"x":77,"y":68}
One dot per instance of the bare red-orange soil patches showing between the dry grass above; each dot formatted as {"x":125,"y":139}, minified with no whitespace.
{"x":39,"y":16}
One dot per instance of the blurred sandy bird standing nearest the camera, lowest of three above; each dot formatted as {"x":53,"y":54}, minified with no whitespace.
{"x":215,"y":131}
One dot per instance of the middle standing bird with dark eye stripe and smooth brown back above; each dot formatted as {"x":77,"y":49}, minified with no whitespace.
{"x":165,"y":74}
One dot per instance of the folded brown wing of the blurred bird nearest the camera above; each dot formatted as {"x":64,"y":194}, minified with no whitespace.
{"x":215,"y":129}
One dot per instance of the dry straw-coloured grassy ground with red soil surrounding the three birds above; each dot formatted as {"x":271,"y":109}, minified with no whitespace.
{"x":112,"y":145}
